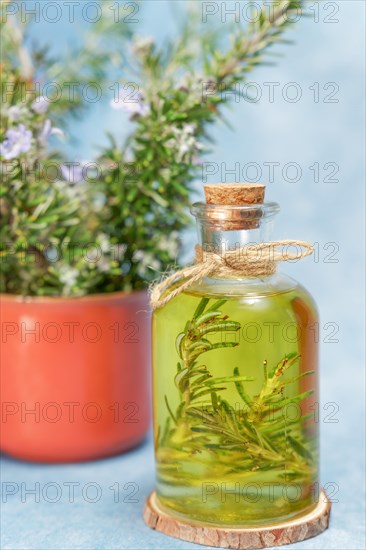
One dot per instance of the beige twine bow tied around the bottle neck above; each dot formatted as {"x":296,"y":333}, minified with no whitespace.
{"x":248,"y":261}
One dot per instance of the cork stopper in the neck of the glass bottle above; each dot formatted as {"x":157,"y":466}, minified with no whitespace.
{"x":235,"y":194}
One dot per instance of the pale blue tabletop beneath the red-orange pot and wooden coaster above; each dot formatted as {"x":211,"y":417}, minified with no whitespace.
{"x":123,"y":482}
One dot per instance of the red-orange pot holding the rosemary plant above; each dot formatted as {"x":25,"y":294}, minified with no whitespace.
{"x":75,"y":375}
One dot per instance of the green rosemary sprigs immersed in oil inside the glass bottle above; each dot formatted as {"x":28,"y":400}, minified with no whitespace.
{"x":258,"y":437}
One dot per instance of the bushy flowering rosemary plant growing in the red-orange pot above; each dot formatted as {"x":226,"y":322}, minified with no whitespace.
{"x":113,"y":222}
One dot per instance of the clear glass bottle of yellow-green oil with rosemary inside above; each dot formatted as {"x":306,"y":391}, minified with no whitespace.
{"x":235,"y":387}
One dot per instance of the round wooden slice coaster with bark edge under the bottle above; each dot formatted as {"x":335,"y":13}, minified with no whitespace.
{"x":308,"y":526}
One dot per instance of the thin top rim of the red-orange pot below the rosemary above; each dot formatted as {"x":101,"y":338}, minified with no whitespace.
{"x":108,"y":296}
